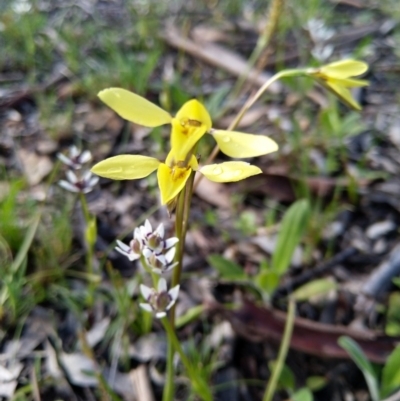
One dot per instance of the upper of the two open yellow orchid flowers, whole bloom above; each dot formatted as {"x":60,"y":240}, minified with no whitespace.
{"x":188,"y":126}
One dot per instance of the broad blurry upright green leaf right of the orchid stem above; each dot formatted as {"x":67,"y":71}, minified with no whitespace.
{"x":293,"y":225}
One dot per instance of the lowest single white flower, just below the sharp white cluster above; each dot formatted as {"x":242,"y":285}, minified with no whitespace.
{"x":159,"y":301}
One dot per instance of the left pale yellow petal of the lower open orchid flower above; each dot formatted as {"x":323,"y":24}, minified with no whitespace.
{"x":126,"y":167}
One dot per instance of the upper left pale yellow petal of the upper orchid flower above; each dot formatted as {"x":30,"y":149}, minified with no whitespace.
{"x":134,"y":108}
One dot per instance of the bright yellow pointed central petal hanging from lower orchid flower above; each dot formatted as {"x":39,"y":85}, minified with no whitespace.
{"x":171,"y":181}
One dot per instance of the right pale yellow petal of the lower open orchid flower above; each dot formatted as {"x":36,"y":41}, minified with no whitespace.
{"x":229,"y":171}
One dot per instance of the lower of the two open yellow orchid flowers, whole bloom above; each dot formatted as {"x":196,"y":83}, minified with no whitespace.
{"x":172,"y":175}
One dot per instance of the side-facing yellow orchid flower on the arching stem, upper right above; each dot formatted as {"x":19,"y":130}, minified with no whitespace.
{"x":337,"y":77}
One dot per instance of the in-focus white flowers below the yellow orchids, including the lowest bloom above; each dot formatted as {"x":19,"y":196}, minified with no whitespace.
{"x":158,"y":254}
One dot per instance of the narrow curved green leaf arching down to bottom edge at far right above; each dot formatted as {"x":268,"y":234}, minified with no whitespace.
{"x":359,"y":358}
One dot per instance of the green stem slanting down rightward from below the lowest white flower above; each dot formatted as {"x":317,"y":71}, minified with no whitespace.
{"x":199,"y":386}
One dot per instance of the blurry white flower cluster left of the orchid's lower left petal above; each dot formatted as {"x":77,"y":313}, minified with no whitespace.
{"x":78,"y":180}
